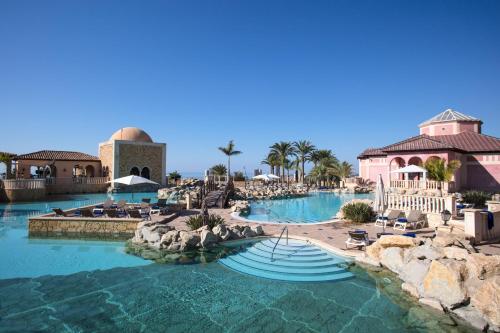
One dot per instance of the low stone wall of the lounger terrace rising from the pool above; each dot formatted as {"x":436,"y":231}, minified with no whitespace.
{"x":51,"y":226}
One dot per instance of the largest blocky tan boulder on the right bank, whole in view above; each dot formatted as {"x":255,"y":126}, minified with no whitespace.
{"x":445,"y":282}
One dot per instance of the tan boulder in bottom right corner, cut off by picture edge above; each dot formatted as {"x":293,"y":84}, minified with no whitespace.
{"x":487,"y":300}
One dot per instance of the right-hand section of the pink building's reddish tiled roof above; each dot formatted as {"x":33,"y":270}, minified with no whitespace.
{"x":472,"y":142}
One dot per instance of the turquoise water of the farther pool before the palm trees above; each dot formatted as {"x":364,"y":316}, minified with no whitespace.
{"x":314,"y":208}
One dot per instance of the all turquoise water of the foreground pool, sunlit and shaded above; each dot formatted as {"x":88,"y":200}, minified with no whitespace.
{"x":55,"y":285}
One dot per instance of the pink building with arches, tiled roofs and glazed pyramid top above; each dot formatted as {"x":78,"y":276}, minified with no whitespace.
{"x":450,"y":135}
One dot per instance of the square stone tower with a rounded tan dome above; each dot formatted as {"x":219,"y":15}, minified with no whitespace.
{"x":131,"y":151}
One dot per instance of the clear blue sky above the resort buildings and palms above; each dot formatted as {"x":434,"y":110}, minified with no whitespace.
{"x":344,"y":74}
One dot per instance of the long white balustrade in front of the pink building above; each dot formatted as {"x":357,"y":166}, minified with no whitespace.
{"x":425,"y":204}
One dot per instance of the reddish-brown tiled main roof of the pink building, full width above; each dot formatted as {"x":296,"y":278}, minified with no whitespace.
{"x":467,"y":142}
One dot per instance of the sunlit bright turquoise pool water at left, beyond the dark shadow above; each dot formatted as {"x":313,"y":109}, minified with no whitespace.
{"x":21,"y":256}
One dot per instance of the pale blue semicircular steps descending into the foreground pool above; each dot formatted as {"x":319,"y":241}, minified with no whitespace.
{"x":297,"y":261}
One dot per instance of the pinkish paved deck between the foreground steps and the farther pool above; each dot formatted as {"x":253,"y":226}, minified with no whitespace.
{"x":330,"y":235}
